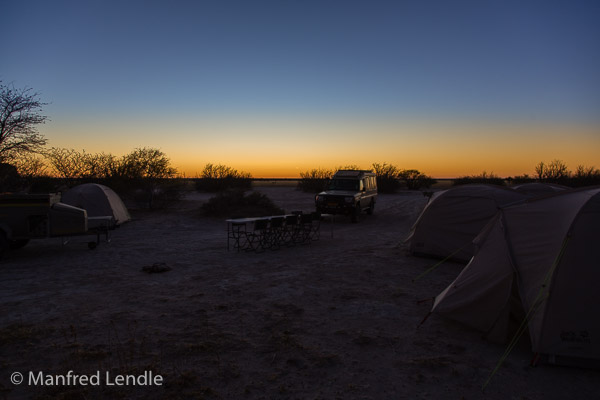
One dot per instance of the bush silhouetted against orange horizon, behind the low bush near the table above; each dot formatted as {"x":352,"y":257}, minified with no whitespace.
{"x":217,"y":178}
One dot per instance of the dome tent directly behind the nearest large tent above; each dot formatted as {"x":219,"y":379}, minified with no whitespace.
{"x":453,"y":218}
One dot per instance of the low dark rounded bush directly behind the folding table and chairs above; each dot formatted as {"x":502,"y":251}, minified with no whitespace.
{"x":235,"y":204}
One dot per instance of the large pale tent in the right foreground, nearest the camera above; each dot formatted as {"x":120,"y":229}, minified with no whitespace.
{"x":539,"y":260}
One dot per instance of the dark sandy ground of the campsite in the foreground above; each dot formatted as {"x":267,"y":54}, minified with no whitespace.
{"x":338,"y":318}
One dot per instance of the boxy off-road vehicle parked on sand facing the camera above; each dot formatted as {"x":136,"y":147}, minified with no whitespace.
{"x":349,"y":192}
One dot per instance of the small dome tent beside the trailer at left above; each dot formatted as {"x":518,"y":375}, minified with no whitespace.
{"x":98,"y":201}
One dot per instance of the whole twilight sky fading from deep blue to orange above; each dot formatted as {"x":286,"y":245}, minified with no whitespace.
{"x":274,"y":88}
